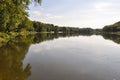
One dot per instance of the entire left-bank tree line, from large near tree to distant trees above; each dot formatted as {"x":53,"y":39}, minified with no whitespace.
{"x":14,"y":18}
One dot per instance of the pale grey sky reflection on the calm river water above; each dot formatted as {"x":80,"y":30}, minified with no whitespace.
{"x":74,"y":58}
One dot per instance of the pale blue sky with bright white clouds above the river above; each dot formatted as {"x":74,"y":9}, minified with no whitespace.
{"x":76,"y":13}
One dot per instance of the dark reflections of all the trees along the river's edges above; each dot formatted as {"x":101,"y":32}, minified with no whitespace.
{"x":14,"y":52}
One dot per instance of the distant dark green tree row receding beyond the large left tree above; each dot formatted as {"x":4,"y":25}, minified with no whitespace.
{"x":43,"y":27}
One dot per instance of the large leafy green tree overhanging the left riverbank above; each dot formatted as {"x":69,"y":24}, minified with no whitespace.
{"x":12,"y":13}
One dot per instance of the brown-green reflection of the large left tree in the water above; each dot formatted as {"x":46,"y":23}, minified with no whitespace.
{"x":11,"y":56}
